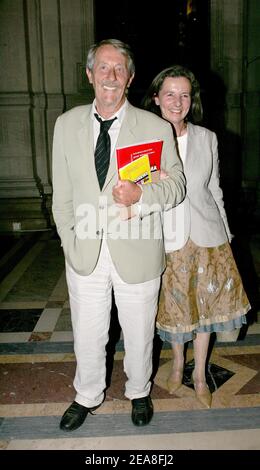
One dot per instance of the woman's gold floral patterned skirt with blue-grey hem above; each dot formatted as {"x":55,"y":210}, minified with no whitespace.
{"x":201,"y":291}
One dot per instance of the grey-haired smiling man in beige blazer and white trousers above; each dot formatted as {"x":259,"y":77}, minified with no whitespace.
{"x":101,"y":249}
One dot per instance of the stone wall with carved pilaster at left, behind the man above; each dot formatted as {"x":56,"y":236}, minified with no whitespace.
{"x":43,"y":50}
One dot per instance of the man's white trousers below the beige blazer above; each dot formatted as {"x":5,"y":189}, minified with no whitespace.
{"x":90,"y":304}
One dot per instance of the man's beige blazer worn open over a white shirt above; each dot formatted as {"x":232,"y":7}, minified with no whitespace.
{"x":84,"y":215}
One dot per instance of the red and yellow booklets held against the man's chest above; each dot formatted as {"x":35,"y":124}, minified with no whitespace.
{"x":140,"y":162}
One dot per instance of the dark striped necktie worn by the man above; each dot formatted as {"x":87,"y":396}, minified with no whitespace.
{"x":102,"y":151}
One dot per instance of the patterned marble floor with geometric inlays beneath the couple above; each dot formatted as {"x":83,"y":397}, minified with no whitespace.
{"x":37,"y":366}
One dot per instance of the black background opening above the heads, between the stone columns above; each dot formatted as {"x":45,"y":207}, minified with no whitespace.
{"x":172,"y":32}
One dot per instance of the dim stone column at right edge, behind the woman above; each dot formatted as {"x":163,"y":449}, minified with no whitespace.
{"x":235,"y":45}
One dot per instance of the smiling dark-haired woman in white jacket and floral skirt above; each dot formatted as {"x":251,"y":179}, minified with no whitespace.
{"x":202,"y":291}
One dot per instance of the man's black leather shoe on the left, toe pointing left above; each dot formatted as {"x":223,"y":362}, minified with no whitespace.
{"x":75,"y":416}
